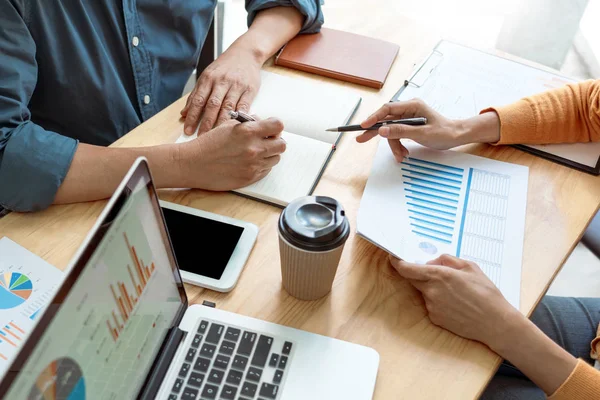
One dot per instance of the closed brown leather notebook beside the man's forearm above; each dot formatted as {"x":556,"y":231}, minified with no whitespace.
{"x":340,"y":55}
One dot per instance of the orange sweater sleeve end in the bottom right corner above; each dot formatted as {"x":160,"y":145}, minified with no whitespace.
{"x":582,"y":384}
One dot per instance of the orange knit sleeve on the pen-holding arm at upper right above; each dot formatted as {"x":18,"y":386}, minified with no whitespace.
{"x":569,"y":114}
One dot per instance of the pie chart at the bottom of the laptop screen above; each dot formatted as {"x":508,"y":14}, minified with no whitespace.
{"x":62,"y":379}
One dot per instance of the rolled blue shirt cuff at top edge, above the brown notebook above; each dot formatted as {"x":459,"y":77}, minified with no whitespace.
{"x":311,"y":9}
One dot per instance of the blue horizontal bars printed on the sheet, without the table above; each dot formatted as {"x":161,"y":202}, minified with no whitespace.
{"x":432,"y":193}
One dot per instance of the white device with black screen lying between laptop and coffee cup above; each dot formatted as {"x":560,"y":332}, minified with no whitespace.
{"x":211,"y":249}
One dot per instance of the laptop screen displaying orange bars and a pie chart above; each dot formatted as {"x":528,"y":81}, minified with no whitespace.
{"x":109,"y":327}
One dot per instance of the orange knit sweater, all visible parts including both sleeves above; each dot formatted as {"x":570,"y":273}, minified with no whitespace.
{"x":566,"y":115}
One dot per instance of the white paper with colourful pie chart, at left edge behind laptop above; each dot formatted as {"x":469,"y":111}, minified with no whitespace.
{"x":26,"y":286}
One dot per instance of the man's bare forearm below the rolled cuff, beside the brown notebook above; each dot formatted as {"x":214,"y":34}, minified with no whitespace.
{"x":260,"y":40}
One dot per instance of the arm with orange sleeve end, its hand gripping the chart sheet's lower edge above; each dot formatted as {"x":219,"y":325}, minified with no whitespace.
{"x":460,"y":298}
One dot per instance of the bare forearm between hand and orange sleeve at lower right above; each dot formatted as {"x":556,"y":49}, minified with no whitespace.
{"x":535,"y":354}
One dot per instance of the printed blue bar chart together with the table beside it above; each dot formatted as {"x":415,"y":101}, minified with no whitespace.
{"x":436,"y":213}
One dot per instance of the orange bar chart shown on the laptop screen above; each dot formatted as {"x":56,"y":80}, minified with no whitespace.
{"x":125,"y":303}
